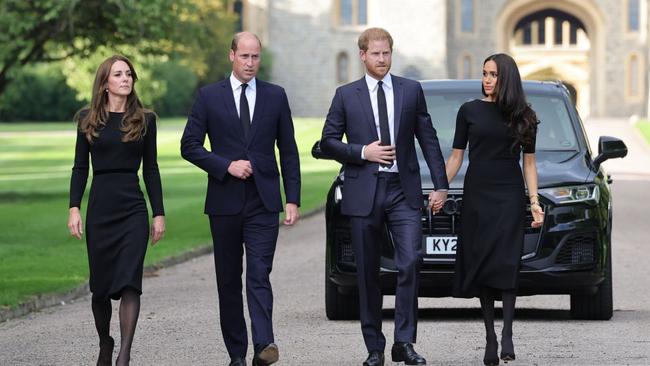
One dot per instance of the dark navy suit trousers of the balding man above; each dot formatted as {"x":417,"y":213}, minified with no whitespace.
{"x":254,"y":229}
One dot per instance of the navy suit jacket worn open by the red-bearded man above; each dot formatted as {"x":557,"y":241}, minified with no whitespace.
{"x":351,"y":114}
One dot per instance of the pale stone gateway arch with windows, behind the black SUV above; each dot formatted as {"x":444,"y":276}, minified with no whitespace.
{"x":575,"y":65}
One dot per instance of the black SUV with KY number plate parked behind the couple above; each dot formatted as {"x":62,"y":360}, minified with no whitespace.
{"x":570,"y":254}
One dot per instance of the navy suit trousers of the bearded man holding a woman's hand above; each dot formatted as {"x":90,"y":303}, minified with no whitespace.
{"x":404,"y":222}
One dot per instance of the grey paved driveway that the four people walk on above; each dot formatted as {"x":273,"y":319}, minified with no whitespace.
{"x":179,"y":318}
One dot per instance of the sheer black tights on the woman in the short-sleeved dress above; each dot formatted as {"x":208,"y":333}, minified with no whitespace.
{"x":508,"y":298}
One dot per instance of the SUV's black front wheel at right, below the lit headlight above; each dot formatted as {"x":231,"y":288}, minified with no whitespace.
{"x":599,"y":306}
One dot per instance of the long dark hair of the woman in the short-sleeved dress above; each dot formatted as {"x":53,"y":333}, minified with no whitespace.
{"x":520,"y":117}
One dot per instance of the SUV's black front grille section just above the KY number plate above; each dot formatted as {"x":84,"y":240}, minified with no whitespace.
{"x":447,"y":221}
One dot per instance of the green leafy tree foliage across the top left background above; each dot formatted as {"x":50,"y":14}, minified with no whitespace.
{"x":34,"y":31}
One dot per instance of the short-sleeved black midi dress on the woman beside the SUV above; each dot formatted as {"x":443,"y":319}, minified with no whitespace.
{"x":494,"y":202}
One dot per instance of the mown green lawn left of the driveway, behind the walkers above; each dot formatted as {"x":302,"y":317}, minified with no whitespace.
{"x":38,"y":256}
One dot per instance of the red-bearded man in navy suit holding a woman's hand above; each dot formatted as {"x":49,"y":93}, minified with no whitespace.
{"x":381,"y":115}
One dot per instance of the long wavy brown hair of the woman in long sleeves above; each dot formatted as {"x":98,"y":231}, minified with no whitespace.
{"x":91,"y":120}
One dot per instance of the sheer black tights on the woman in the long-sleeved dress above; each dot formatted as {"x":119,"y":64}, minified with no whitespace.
{"x":129,"y":312}
